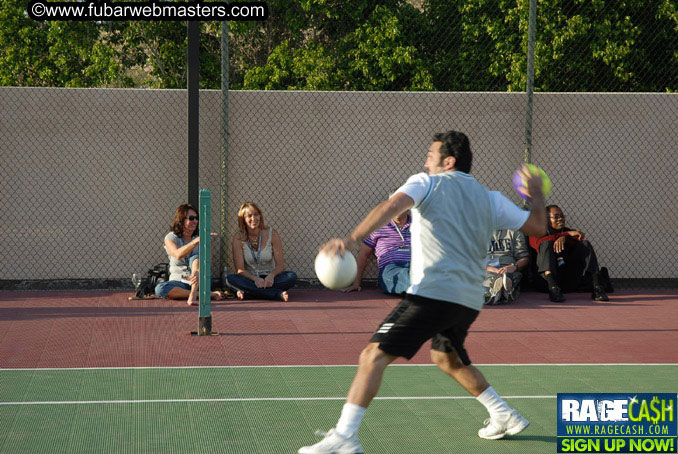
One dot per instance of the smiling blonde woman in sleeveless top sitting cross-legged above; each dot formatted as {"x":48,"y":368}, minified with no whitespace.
{"x":258,"y":259}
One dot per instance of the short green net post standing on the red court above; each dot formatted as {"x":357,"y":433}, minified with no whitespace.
{"x":205,"y":319}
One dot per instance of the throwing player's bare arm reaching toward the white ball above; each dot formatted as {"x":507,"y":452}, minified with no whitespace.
{"x":376,"y":218}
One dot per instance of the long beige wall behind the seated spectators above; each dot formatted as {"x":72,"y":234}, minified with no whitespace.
{"x":90,"y":178}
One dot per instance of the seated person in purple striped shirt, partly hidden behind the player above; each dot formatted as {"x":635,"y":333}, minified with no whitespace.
{"x":391,"y":245}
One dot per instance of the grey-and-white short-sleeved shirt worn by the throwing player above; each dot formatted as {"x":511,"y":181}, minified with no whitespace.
{"x":453,"y":219}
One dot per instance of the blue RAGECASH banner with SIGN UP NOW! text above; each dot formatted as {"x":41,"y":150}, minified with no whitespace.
{"x":634,"y":422}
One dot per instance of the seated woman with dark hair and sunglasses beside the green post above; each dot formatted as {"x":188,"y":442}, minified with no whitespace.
{"x":181,"y":245}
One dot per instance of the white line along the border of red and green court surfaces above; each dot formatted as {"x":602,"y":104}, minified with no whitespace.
{"x":290,"y":366}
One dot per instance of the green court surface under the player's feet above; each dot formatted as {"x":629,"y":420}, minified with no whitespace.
{"x":277,"y":409}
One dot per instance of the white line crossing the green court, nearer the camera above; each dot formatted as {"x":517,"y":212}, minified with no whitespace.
{"x":253,"y":399}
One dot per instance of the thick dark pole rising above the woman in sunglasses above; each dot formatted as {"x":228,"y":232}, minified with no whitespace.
{"x":193,"y":83}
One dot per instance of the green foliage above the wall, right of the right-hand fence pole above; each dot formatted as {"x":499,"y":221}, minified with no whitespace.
{"x":597,"y":45}
